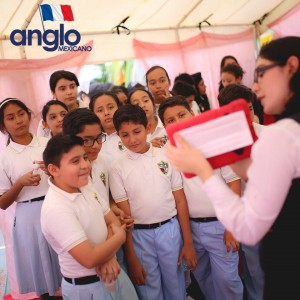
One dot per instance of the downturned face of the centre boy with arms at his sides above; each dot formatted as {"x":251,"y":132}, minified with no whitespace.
{"x":134,"y":137}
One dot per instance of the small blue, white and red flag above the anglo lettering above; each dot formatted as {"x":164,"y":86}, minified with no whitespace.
{"x":56,"y":12}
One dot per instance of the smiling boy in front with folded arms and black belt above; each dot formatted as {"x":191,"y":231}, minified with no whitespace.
{"x":80,"y":227}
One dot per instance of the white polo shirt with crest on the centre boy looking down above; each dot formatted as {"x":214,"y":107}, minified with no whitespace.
{"x":147,"y":182}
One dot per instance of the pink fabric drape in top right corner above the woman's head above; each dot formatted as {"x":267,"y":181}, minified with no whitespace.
{"x":288,"y":24}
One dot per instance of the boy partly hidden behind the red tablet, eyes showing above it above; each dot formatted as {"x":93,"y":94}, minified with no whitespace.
{"x":217,"y":268}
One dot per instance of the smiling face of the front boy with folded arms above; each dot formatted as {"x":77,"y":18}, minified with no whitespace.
{"x":73,"y":172}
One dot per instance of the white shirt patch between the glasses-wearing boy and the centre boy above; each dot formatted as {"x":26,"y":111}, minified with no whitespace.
{"x":112,"y":148}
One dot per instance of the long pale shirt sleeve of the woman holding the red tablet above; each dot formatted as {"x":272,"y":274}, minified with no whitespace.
{"x":275,"y":163}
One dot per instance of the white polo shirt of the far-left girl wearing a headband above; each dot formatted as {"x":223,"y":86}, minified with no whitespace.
{"x":16,"y":160}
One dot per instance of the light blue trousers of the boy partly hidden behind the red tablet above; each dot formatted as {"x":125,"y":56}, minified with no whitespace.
{"x":217,"y":269}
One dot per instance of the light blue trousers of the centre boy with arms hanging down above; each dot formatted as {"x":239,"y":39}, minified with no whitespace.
{"x":158,"y":251}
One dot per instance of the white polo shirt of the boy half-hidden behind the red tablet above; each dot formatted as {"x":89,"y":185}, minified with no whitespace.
{"x":199,"y":204}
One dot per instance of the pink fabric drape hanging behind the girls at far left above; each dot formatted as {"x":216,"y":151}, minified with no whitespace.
{"x":28,"y":80}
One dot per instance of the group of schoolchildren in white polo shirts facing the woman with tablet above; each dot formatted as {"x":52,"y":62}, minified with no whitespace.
{"x":98,"y":202}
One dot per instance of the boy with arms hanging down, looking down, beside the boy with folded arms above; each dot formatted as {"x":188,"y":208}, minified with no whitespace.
{"x":145,"y":186}
